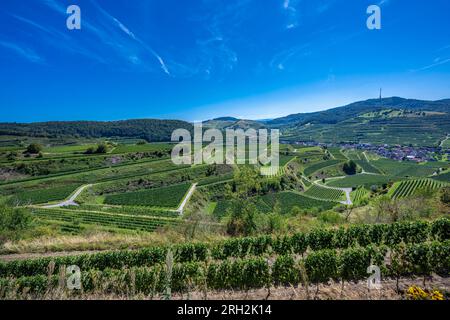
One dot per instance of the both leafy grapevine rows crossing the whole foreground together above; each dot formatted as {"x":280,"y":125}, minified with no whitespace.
{"x":416,"y":248}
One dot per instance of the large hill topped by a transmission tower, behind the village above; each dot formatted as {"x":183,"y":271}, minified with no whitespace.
{"x":391,"y":120}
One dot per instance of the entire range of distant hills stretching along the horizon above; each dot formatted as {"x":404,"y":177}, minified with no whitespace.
{"x":390,"y":121}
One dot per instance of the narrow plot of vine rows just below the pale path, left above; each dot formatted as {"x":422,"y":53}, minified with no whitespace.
{"x":145,"y":223}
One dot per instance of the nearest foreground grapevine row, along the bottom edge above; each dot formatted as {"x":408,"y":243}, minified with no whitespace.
{"x":350,"y":264}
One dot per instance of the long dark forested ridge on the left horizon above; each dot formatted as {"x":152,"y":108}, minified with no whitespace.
{"x":150,"y":129}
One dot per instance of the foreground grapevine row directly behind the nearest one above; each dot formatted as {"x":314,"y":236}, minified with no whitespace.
{"x":299,"y":243}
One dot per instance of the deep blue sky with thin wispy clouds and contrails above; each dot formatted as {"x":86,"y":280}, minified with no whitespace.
{"x":199,"y":59}
